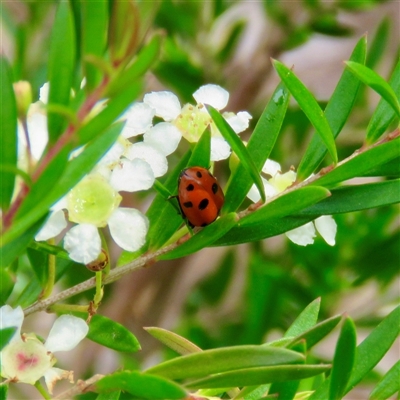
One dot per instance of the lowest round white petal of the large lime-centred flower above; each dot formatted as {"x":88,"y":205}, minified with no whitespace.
{"x":83,"y":243}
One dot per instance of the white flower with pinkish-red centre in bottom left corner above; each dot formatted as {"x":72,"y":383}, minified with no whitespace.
{"x":26,"y":359}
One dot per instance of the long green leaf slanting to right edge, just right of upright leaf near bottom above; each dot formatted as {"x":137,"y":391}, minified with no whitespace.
{"x":374,"y":347}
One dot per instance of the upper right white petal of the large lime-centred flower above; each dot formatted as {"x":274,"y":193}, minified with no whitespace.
{"x":131,"y":176}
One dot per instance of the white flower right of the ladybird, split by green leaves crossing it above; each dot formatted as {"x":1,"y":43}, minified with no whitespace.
{"x":305,"y":234}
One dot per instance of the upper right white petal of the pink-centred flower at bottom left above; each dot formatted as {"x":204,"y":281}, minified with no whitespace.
{"x":66,"y":332}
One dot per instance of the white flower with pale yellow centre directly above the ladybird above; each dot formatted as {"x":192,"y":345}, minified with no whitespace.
{"x":193,"y":120}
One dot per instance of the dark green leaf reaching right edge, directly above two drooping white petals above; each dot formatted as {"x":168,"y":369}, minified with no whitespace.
{"x":347,"y":199}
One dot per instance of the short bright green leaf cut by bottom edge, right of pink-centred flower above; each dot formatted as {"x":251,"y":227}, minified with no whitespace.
{"x":140,"y":385}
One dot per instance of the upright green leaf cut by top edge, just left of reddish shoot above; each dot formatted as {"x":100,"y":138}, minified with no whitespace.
{"x":94,"y":37}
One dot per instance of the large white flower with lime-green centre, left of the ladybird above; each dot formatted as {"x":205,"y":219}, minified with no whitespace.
{"x":93,"y":203}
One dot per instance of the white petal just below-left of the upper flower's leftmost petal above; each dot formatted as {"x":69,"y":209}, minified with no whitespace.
{"x":139,"y":118}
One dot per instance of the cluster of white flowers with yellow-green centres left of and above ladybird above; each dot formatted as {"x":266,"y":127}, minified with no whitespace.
{"x":132,"y":165}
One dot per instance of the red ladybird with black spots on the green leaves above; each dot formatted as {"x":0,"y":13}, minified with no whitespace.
{"x":200,"y":196}
